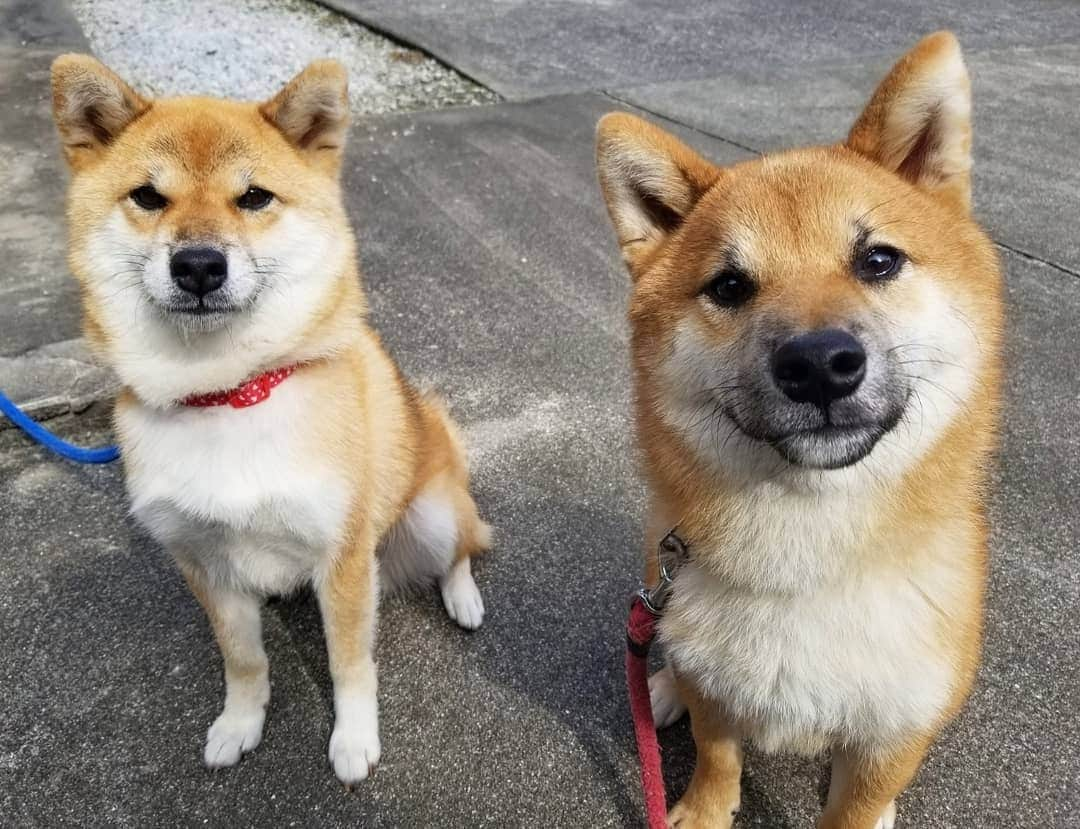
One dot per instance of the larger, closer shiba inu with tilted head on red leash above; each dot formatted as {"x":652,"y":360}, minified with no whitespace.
{"x":816,"y":343}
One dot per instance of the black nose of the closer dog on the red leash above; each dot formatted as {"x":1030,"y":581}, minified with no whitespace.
{"x":820,"y":368}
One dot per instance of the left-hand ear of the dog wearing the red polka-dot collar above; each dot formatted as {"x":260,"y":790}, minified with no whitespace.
{"x":91,"y":106}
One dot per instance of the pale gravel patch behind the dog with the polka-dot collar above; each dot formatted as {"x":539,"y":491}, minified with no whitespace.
{"x":249,"y":49}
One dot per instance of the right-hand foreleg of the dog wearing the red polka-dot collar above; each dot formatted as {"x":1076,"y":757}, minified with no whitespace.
{"x":348,"y":600}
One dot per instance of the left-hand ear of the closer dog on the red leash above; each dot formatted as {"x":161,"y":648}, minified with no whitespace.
{"x":651,"y":182}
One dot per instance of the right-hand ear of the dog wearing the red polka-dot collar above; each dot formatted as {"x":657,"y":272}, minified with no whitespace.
{"x":313,"y":112}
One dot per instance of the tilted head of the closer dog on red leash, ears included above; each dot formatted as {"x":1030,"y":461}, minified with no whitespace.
{"x":793,"y":311}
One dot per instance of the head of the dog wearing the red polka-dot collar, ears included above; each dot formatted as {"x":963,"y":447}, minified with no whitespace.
{"x":195,"y":219}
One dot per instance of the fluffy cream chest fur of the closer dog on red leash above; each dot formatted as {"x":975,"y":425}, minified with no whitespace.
{"x":852,"y":657}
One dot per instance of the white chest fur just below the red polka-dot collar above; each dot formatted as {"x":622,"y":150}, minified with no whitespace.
{"x":239,"y":491}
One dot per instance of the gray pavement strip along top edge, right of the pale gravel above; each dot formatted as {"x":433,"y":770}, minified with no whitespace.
{"x":531,"y":48}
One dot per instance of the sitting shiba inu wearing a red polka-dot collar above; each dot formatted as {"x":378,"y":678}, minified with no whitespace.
{"x":268,"y":440}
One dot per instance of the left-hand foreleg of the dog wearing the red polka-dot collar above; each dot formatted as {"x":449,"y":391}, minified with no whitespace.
{"x":238,"y":628}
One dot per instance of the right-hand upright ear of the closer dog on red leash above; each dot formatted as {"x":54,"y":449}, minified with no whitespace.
{"x":919,"y":123}
